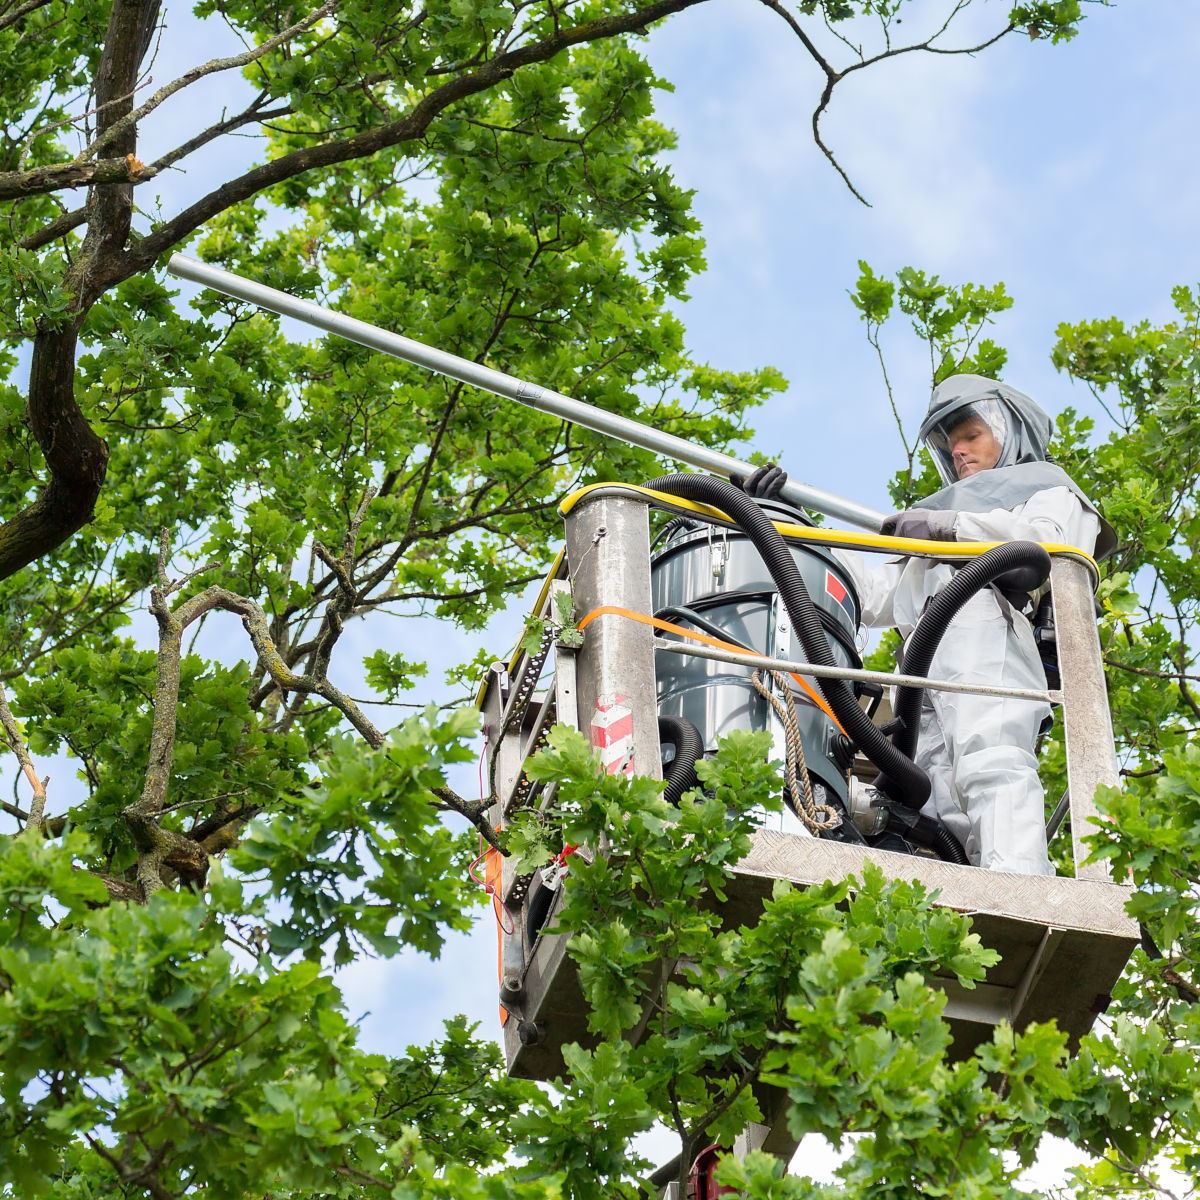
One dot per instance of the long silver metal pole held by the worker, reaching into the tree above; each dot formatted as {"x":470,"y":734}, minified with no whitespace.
{"x":501,"y":385}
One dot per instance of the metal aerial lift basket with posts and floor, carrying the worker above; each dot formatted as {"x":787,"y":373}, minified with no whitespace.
{"x":1063,"y":941}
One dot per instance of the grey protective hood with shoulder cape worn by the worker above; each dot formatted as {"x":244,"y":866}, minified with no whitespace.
{"x":1023,"y":469}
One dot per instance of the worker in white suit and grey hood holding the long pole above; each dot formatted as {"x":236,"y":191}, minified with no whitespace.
{"x":989,"y":442}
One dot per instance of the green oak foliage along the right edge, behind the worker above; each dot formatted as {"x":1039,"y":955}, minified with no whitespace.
{"x":1129,"y":1099}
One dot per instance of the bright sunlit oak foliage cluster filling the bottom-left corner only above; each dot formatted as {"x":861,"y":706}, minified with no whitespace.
{"x":127,"y":1027}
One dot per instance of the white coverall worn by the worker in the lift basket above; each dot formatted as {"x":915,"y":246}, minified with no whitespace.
{"x":980,"y":751}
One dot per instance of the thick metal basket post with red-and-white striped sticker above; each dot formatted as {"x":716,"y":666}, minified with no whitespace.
{"x":609,"y":553}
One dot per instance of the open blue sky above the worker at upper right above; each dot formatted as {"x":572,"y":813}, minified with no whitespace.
{"x":1067,"y":172}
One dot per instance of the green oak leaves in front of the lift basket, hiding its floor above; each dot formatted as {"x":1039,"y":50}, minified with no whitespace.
{"x":825,"y":995}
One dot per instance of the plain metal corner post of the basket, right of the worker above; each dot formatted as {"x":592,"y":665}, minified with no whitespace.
{"x":1088,"y":723}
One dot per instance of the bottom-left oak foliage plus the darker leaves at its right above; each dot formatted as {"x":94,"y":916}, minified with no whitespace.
{"x":131,"y":1033}
